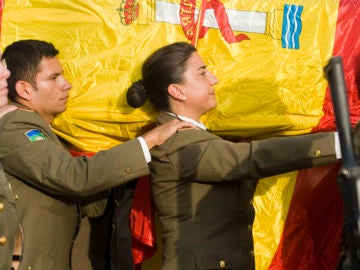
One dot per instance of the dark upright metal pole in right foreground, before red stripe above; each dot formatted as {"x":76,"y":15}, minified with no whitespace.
{"x":349,"y":176}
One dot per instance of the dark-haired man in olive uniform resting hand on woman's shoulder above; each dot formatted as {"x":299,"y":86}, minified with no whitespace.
{"x":49,"y":182}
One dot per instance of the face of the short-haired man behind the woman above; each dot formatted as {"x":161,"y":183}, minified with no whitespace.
{"x":51,"y":92}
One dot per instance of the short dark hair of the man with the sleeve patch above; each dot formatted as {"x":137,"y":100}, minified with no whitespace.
{"x":23,"y":59}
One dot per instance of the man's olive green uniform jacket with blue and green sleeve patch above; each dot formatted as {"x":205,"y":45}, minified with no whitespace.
{"x":50,"y":183}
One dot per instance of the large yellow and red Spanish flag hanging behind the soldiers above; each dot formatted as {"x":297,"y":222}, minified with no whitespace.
{"x":268,"y":56}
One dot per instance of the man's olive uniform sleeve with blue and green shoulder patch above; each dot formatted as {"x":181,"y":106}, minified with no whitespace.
{"x":45,"y":163}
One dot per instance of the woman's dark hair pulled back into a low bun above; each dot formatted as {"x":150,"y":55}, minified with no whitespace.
{"x":162,"y":68}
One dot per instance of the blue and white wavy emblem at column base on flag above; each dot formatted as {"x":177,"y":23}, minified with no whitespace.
{"x":292,"y":26}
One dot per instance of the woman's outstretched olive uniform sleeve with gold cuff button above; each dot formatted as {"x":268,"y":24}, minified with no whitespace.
{"x":220,"y":160}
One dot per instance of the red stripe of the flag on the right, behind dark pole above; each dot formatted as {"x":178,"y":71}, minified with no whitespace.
{"x":312,"y":231}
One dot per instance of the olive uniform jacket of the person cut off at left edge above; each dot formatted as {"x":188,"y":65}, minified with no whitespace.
{"x":9,"y":222}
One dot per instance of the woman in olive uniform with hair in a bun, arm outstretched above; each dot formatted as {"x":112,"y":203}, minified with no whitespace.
{"x":202,"y":185}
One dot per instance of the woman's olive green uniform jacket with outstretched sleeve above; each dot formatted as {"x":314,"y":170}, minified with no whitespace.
{"x":203,"y":188}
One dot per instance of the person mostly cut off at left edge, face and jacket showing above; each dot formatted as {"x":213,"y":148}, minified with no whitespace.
{"x":9,"y":220}
